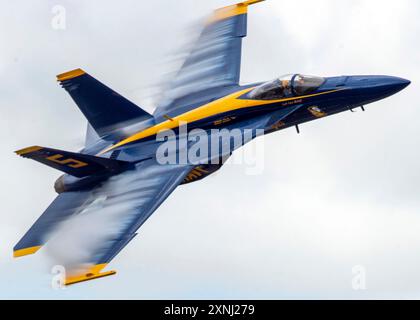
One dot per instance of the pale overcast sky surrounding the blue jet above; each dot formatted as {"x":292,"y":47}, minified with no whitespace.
{"x":344,"y":193}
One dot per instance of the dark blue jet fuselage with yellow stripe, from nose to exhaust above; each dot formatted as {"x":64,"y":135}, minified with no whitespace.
{"x":244,"y":108}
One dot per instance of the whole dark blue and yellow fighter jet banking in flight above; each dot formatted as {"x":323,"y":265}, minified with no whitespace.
{"x":121,"y":137}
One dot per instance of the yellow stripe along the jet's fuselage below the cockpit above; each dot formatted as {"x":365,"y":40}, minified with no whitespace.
{"x":222,"y":105}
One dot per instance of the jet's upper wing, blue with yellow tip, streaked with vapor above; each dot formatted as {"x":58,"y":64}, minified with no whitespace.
{"x":214,"y":61}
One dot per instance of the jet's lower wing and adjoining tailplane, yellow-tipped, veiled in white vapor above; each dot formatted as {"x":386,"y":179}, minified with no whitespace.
{"x":103,"y":220}
